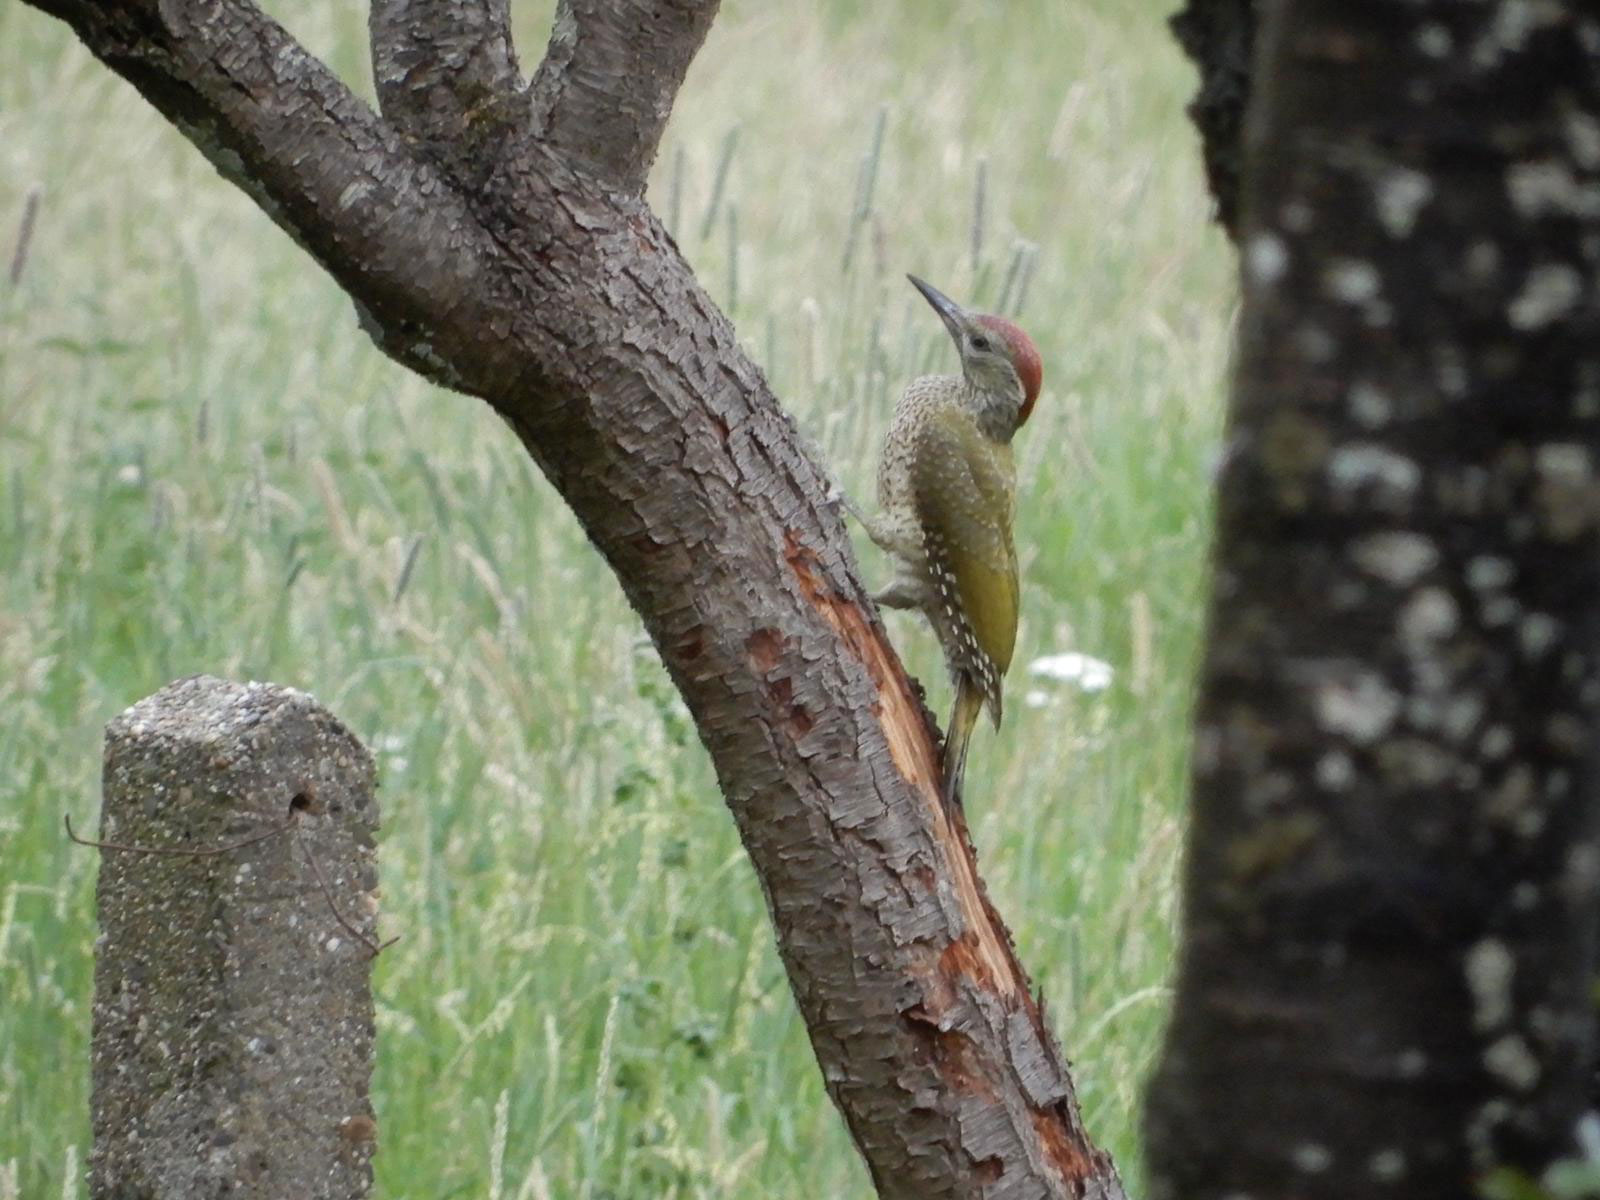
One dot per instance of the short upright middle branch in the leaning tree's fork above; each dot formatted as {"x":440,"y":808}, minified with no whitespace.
{"x":447,"y":78}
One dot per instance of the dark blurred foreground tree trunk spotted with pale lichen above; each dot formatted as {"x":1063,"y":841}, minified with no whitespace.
{"x":1393,"y":868}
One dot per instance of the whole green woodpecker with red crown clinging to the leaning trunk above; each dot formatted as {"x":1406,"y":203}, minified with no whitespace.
{"x":948,"y":498}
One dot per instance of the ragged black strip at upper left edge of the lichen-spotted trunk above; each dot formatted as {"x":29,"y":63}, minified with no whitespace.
{"x":1220,"y":36}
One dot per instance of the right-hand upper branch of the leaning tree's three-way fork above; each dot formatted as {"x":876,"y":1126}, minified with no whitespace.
{"x":606,"y":89}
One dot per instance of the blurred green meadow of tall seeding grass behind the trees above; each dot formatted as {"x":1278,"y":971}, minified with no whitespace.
{"x":206,"y":468}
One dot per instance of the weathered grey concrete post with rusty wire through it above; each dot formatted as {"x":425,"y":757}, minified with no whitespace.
{"x":233,"y":1002}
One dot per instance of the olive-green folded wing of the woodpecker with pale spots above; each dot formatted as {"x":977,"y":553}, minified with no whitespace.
{"x":962,"y":486}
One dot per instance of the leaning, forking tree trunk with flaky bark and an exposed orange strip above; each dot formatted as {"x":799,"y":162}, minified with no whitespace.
{"x":542,"y":282}
